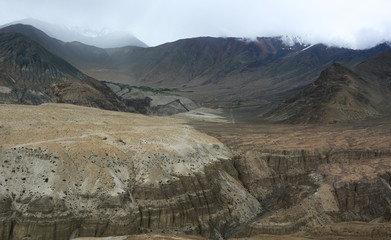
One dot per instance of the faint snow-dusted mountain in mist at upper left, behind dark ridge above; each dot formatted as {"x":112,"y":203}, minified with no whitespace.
{"x":100,"y":39}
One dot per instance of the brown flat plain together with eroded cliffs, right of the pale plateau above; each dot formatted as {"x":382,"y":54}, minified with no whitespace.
{"x":310,"y":176}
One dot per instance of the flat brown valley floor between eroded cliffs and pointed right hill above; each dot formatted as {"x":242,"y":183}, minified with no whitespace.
{"x":239,"y":131}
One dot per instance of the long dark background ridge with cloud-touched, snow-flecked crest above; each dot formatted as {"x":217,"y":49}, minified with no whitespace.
{"x":217,"y":72}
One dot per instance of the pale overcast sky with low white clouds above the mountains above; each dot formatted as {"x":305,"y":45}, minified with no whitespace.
{"x":352,"y":23}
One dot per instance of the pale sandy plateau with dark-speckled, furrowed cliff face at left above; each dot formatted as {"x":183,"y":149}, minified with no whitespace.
{"x":64,"y":176}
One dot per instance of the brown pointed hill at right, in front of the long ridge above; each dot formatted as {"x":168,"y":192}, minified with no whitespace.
{"x":342,"y":94}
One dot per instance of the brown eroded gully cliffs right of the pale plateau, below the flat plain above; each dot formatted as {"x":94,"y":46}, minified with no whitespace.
{"x":303,"y":190}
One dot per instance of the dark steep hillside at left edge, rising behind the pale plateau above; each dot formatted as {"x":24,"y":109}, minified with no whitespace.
{"x":29,"y":74}
